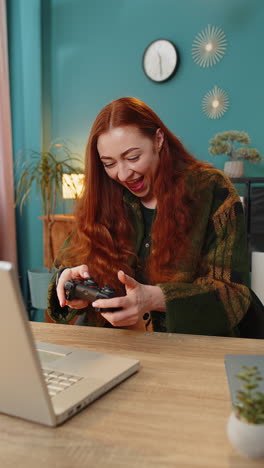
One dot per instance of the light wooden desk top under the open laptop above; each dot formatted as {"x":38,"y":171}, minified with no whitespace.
{"x":172,"y":413}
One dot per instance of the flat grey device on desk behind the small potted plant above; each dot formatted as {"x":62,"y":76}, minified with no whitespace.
{"x":233,"y":365}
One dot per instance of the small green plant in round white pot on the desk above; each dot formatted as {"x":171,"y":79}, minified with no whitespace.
{"x":245,"y":428}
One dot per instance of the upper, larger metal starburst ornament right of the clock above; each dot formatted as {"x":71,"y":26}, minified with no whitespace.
{"x":209,"y":46}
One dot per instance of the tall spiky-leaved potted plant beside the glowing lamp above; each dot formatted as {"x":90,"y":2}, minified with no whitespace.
{"x":45,"y":170}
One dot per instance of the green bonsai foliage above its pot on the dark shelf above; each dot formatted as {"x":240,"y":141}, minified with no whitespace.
{"x":225,"y":143}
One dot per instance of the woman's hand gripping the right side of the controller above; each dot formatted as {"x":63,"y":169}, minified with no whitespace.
{"x":139,"y":299}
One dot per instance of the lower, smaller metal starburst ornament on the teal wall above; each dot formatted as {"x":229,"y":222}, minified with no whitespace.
{"x":215,"y":103}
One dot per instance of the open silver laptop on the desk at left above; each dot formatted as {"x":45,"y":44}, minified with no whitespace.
{"x":42,"y":382}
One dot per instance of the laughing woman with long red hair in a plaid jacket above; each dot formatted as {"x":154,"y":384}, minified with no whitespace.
{"x":163,"y":229}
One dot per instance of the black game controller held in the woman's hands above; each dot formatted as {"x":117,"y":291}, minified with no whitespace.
{"x":89,"y":291}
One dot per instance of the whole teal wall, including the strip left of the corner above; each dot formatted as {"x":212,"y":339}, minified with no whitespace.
{"x":68,"y":58}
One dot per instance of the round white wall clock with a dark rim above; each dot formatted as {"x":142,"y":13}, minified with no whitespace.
{"x":160,"y":60}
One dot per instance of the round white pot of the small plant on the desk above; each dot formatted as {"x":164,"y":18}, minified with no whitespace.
{"x":246,"y":438}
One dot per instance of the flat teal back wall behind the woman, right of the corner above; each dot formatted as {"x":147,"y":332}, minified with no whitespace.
{"x":96,"y":53}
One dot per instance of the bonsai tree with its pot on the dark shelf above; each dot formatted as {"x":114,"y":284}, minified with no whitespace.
{"x":227,"y":143}
